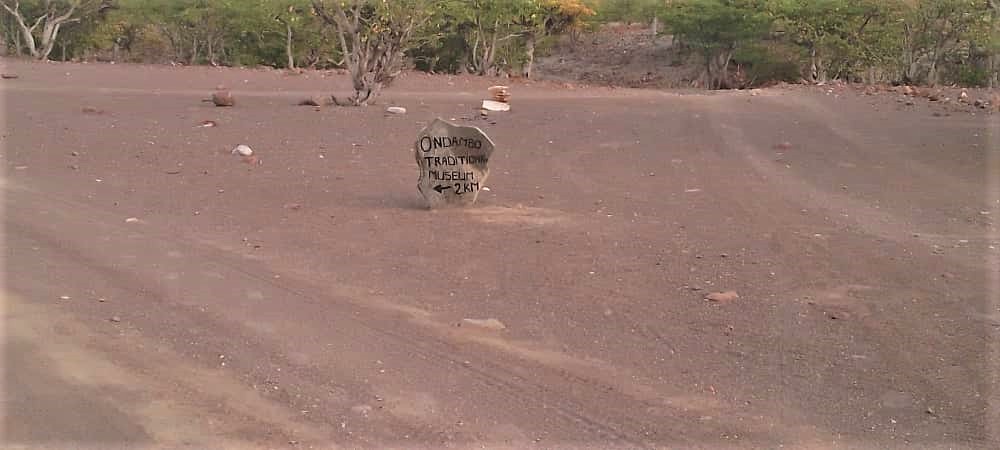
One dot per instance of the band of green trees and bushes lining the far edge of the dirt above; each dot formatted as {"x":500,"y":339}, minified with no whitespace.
{"x":736,"y":41}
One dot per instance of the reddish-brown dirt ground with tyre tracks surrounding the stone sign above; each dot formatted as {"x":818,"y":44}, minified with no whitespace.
{"x":310,"y":301}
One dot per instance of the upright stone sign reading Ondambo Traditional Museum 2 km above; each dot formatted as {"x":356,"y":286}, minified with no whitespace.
{"x":453,"y":163}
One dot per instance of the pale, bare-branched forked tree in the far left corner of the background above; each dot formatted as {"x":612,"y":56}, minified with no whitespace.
{"x":51,"y":15}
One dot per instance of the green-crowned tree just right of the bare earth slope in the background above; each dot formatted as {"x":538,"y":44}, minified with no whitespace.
{"x":716,"y":29}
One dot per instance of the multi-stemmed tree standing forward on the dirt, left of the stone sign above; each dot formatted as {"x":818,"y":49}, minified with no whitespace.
{"x":373,"y":36}
